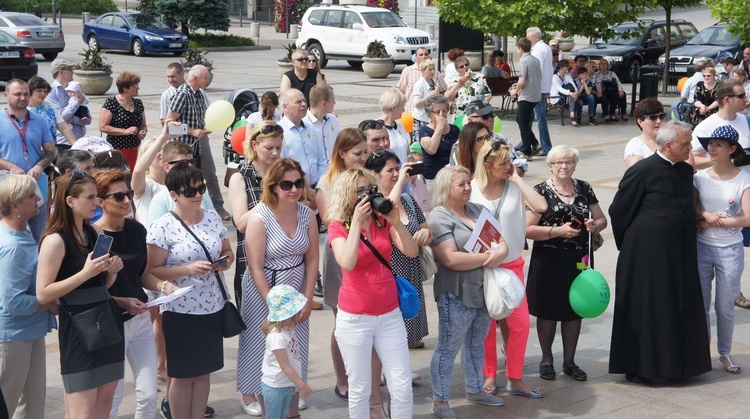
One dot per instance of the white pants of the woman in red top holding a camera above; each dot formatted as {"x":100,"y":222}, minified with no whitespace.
{"x":356,"y":335}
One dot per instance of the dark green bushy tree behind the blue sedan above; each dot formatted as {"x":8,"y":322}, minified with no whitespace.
{"x":196,"y":14}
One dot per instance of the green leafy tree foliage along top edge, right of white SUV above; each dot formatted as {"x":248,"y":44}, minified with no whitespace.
{"x":589,"y":18}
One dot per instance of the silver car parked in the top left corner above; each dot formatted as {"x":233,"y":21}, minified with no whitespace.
{"x":28,"y":30}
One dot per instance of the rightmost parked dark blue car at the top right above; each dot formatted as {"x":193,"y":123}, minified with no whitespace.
{"x":709,"y":43}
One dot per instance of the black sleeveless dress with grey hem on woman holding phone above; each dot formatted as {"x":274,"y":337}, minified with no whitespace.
{"x":82,"y":370}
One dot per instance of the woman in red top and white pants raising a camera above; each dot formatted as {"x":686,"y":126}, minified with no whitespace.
{"x":369,"y":314}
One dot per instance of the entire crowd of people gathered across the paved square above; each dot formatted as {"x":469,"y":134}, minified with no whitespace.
{"x":386,"y":200}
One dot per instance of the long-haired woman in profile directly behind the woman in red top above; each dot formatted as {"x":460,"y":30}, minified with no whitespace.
{"x":349,"y":151}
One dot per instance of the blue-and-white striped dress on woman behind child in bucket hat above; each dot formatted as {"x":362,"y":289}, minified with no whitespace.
{"x":284,"y":264}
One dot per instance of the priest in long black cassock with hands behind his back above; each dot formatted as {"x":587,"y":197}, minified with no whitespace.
{"x":659,"y":328}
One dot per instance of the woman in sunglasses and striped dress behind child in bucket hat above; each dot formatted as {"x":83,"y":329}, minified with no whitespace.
{"x":284,"y":250}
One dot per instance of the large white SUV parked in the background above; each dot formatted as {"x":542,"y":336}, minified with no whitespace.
{"x":342,"y":32}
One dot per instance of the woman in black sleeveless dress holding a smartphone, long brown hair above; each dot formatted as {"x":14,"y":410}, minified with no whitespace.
{"x":68,"y":272}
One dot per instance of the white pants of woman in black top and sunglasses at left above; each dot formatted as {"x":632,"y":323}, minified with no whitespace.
{"x":140,"y":351}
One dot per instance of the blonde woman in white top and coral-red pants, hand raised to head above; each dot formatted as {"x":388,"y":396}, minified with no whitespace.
{"x":498,"y":187}
